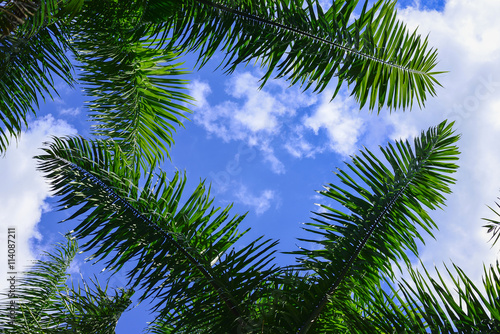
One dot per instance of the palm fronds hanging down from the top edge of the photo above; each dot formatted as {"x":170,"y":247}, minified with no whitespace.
{"x":132,"y":46}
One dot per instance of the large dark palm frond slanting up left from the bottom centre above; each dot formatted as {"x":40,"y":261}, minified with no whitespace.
{"x":183,"y":255}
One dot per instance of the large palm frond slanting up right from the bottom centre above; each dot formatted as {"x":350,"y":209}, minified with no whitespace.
{"x":387,"y":207}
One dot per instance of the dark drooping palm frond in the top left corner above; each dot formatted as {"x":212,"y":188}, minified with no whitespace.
{"x":29,"y":58}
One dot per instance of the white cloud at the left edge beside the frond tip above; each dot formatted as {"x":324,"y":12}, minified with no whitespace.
{"x":23,"y":190}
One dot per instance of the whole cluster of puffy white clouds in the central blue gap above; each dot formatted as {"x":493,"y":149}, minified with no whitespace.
{"x":278,"y":117}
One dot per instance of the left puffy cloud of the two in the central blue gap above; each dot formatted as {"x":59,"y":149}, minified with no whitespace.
{"x":250,"y":115}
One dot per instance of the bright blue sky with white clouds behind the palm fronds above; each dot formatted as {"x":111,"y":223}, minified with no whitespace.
{"x":268,"y":150}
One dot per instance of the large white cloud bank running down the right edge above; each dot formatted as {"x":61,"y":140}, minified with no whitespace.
{"x":466,"y":36}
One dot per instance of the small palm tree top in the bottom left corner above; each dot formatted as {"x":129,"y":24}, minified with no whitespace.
{"x":43,"y":302}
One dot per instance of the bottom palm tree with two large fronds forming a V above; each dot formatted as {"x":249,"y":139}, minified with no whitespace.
{"x":199,"y":279}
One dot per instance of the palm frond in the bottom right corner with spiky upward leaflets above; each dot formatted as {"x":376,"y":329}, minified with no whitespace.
{"x":423,"y":303}
